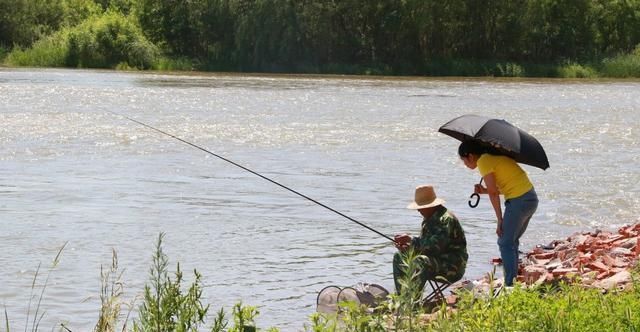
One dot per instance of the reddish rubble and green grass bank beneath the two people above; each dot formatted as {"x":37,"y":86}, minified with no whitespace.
{"x":586,"y":282}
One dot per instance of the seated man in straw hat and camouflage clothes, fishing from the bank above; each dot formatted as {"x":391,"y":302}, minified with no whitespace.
{"x":441,"y":244}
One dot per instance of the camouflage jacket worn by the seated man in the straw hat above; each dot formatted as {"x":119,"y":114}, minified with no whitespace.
{"x":442,"y":239}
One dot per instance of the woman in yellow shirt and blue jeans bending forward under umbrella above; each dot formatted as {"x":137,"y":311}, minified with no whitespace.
{"x":502,"y":175}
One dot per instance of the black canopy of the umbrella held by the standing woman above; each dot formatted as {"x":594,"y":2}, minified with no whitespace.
{"x":503,"y":137}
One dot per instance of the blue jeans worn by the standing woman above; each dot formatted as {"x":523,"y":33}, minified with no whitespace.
{"x":517,"y":213}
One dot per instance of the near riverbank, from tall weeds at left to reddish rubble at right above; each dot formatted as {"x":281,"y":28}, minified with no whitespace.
{"x":560,"y":300}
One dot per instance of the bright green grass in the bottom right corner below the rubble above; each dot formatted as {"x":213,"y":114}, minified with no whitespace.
{"x":562,"y":308}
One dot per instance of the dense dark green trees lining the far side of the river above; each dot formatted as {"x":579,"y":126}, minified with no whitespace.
{"x":501,"y":37}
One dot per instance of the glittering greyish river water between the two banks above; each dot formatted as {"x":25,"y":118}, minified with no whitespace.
{"x":73,"y":172}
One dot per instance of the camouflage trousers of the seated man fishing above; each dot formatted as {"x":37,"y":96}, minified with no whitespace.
{"x":428,"y":269}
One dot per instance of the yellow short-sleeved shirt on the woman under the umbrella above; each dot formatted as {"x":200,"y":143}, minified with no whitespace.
{"x":511,"y":180}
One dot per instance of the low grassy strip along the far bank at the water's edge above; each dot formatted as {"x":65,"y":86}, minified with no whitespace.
{"x":622,"y":66}
